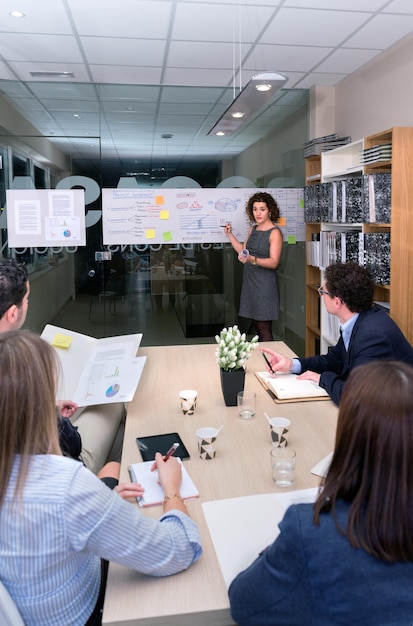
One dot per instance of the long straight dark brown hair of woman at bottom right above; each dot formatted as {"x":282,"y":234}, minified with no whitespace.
{"x":371,"y":467}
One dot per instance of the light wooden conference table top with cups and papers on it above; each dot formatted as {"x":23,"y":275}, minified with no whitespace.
{"x":198,"y":596}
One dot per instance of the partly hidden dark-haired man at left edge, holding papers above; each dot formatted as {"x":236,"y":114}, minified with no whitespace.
{"x":100,"y":429}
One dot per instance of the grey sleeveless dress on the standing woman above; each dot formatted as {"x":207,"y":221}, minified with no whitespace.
{"x":260,"y":298}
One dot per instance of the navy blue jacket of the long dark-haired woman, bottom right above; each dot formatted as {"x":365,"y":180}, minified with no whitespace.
{"x":311,"y":575}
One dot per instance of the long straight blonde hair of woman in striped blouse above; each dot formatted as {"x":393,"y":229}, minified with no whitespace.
{"x":29,"y":369}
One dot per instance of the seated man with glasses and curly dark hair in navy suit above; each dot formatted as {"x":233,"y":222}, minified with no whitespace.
{"x":367,"y":333}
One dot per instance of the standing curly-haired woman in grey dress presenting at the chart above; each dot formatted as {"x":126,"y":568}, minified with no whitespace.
{"x":260,"y":299}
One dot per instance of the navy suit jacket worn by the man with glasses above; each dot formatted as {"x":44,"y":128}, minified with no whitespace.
{"x":375,"y":337}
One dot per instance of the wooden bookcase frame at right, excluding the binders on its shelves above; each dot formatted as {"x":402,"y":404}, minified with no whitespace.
{"x":335,"y":165}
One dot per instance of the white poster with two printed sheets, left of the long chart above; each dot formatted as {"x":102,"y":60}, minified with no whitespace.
{"x":46,"y":217}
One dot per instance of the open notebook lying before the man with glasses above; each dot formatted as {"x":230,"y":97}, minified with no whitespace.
{"x":287,"y":388}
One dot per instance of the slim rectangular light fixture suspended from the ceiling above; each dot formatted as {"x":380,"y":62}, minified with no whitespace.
{"x":257,"y":93}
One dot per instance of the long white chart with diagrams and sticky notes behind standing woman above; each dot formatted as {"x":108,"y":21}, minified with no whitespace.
{"x":141,"y":216}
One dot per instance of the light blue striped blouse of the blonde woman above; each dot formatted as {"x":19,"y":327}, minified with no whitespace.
{"x":51,"y":543}
